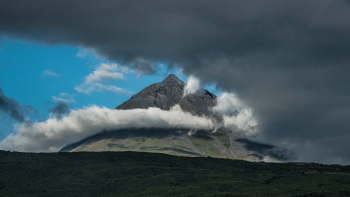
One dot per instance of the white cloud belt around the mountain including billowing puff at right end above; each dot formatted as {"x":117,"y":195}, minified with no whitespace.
{"x":67,"y":126}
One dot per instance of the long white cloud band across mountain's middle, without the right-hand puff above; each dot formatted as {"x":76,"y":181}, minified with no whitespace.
{"x":52,"y":134}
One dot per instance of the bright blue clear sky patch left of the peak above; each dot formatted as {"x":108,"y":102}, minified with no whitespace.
{"x":40,"y":75}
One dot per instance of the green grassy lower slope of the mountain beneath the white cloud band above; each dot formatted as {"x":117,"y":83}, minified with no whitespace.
{"x":173,"y":142}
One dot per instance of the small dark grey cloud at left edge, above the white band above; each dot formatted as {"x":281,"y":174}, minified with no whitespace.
{"x":12,"y":107}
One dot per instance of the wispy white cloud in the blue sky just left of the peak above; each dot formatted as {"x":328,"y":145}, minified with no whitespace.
{"x":104,"y":72}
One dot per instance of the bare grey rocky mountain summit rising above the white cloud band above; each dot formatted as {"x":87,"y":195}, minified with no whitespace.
{"x":168,"y":93}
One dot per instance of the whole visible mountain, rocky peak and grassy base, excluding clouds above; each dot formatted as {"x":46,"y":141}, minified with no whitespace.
{"x":164,"y":95}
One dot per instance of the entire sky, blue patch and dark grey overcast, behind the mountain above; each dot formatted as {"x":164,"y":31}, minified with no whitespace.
{"x":288,"y":61}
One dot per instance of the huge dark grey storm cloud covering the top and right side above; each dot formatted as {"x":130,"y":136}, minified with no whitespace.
{"x":288,"y":60}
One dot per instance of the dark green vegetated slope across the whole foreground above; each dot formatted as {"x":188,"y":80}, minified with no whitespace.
{"x":150,"y":174}
